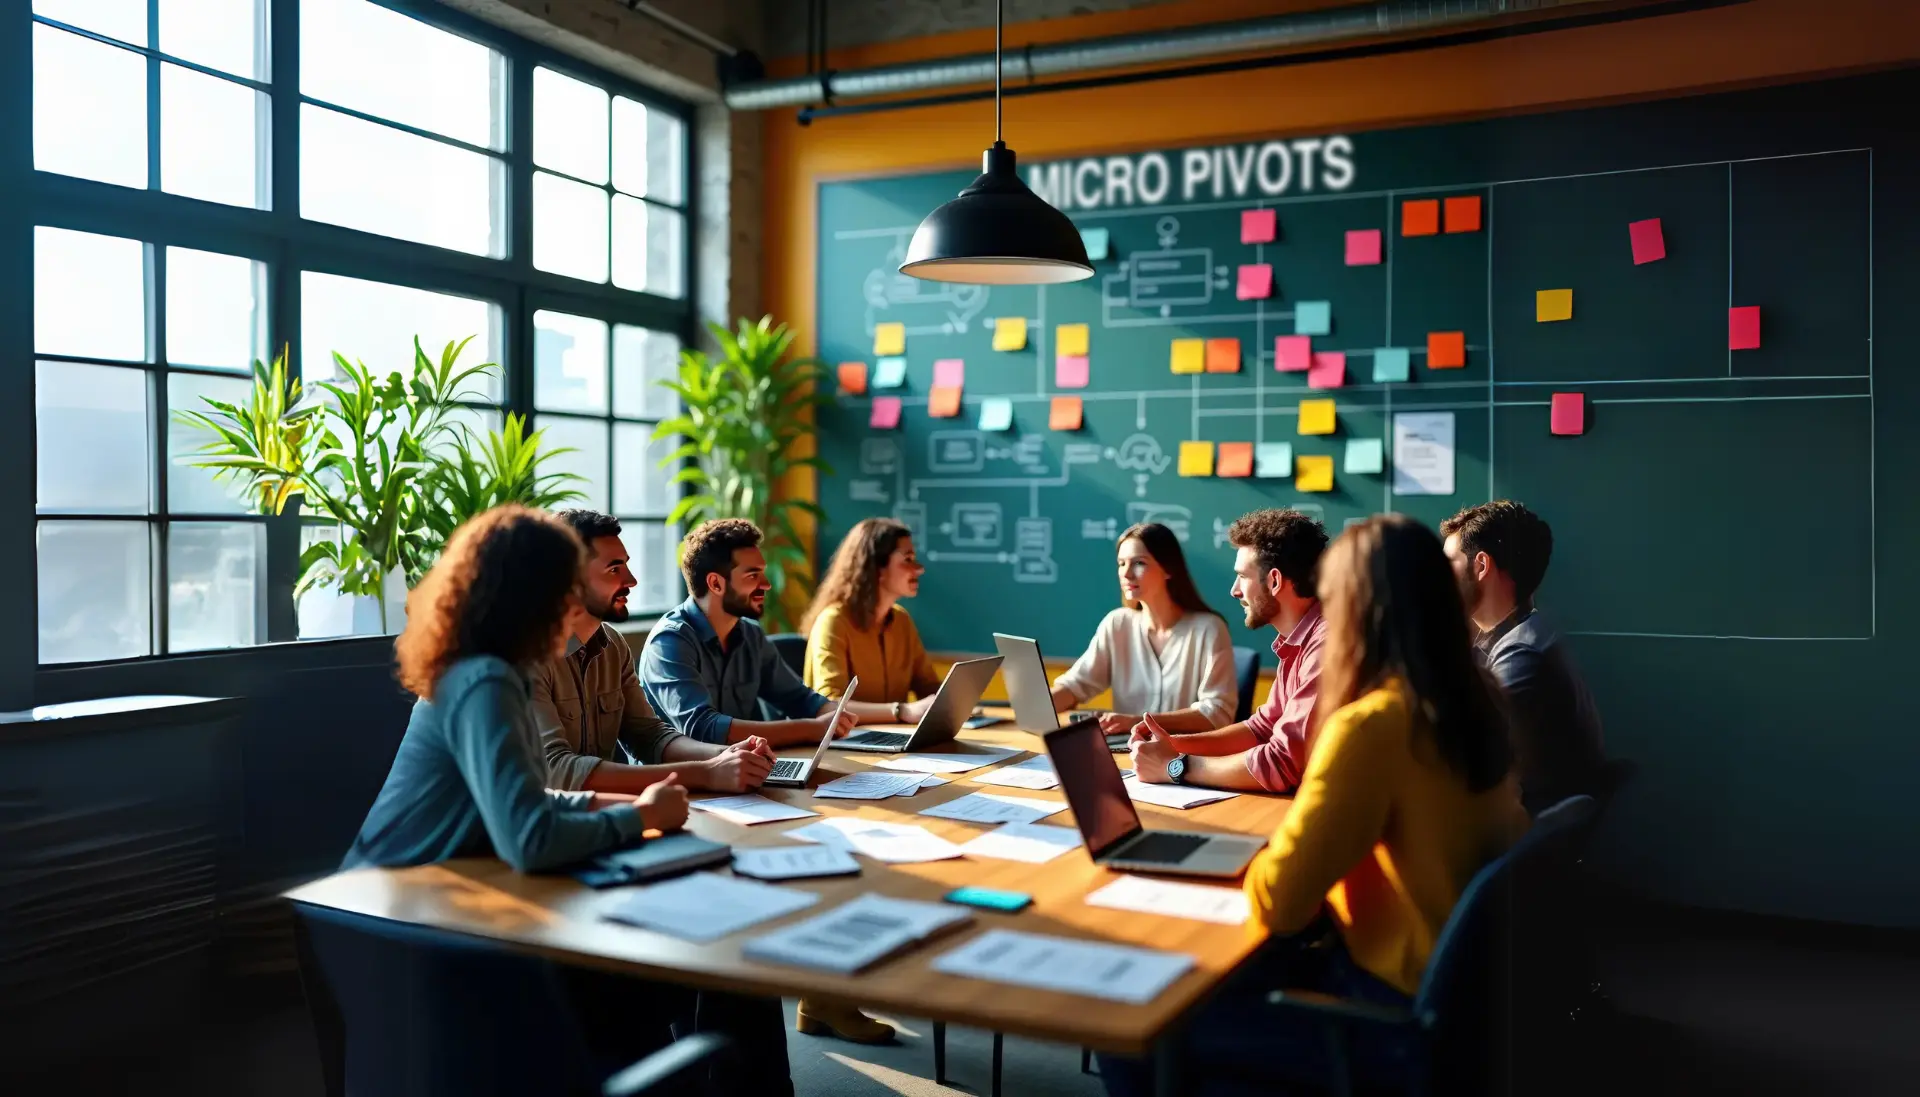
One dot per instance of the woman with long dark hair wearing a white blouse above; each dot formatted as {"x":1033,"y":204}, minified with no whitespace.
{"x":1164,"y":652}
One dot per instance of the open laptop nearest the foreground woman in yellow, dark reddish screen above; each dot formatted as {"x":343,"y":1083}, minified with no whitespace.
{"x":1113,"y":827}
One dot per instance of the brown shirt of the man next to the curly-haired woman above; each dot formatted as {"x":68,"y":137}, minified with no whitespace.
{"x":588,"y":704}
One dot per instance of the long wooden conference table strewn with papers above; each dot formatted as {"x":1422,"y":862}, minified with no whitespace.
{"x":558,"y":917}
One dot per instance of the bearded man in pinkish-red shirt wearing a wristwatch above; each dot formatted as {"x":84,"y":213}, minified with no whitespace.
{"x":1274,"y":564}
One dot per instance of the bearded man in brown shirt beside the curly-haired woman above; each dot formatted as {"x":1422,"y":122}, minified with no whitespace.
{"x":594,"y":718}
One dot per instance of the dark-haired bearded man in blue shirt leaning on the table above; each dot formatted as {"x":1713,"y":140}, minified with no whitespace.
{"x":708,"y":666}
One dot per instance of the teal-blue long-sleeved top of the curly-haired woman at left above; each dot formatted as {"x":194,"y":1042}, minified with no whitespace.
{"x":469,"y":781}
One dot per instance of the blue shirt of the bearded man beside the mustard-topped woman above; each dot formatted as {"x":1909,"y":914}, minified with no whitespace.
{"x":702,"y":689}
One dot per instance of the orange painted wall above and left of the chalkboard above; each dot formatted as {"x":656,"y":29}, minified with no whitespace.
{"x":1760,"y":41}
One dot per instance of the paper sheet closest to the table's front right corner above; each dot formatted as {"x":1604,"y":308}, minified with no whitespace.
{"x":1113,"y":973}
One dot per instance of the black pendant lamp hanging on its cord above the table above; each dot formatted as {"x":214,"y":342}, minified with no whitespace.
{"x":997,"y":232}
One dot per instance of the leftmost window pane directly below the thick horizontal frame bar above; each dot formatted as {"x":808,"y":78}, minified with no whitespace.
{"x":89,"y":295}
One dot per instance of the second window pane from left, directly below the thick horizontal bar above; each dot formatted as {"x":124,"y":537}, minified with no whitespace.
{"x":216,"y":310}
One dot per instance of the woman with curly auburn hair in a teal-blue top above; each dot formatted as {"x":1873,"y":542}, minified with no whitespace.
{"x":469,"y":777}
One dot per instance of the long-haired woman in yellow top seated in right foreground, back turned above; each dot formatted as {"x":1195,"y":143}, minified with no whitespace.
{"x":1406,"y":796}
